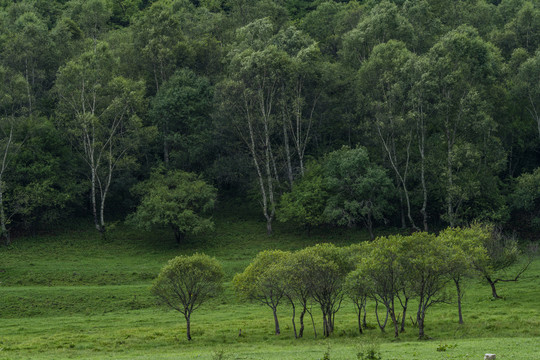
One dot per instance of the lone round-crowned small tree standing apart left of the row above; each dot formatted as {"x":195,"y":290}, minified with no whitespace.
{"x":186,"y":282}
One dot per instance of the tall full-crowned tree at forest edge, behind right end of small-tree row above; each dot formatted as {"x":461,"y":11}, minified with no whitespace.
{"x":461,"y":71}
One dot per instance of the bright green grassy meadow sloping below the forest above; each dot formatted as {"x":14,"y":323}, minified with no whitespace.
{"x":72,"y":295}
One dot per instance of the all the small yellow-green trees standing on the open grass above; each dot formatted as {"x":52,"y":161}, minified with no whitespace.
{"x":390,"y":271}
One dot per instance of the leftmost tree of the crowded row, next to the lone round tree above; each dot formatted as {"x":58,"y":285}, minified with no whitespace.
{"x":259,"y":282}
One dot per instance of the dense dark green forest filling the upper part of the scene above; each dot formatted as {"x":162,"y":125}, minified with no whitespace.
{"x":438,"y":103}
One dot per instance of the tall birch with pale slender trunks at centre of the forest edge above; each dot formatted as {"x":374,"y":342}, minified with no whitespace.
{"x":252,"y":94}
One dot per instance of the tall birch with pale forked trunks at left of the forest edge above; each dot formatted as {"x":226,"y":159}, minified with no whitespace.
{"x":98,"y":110}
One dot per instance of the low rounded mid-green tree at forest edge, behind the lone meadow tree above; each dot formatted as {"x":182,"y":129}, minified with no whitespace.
{"x":177,"y":199}
